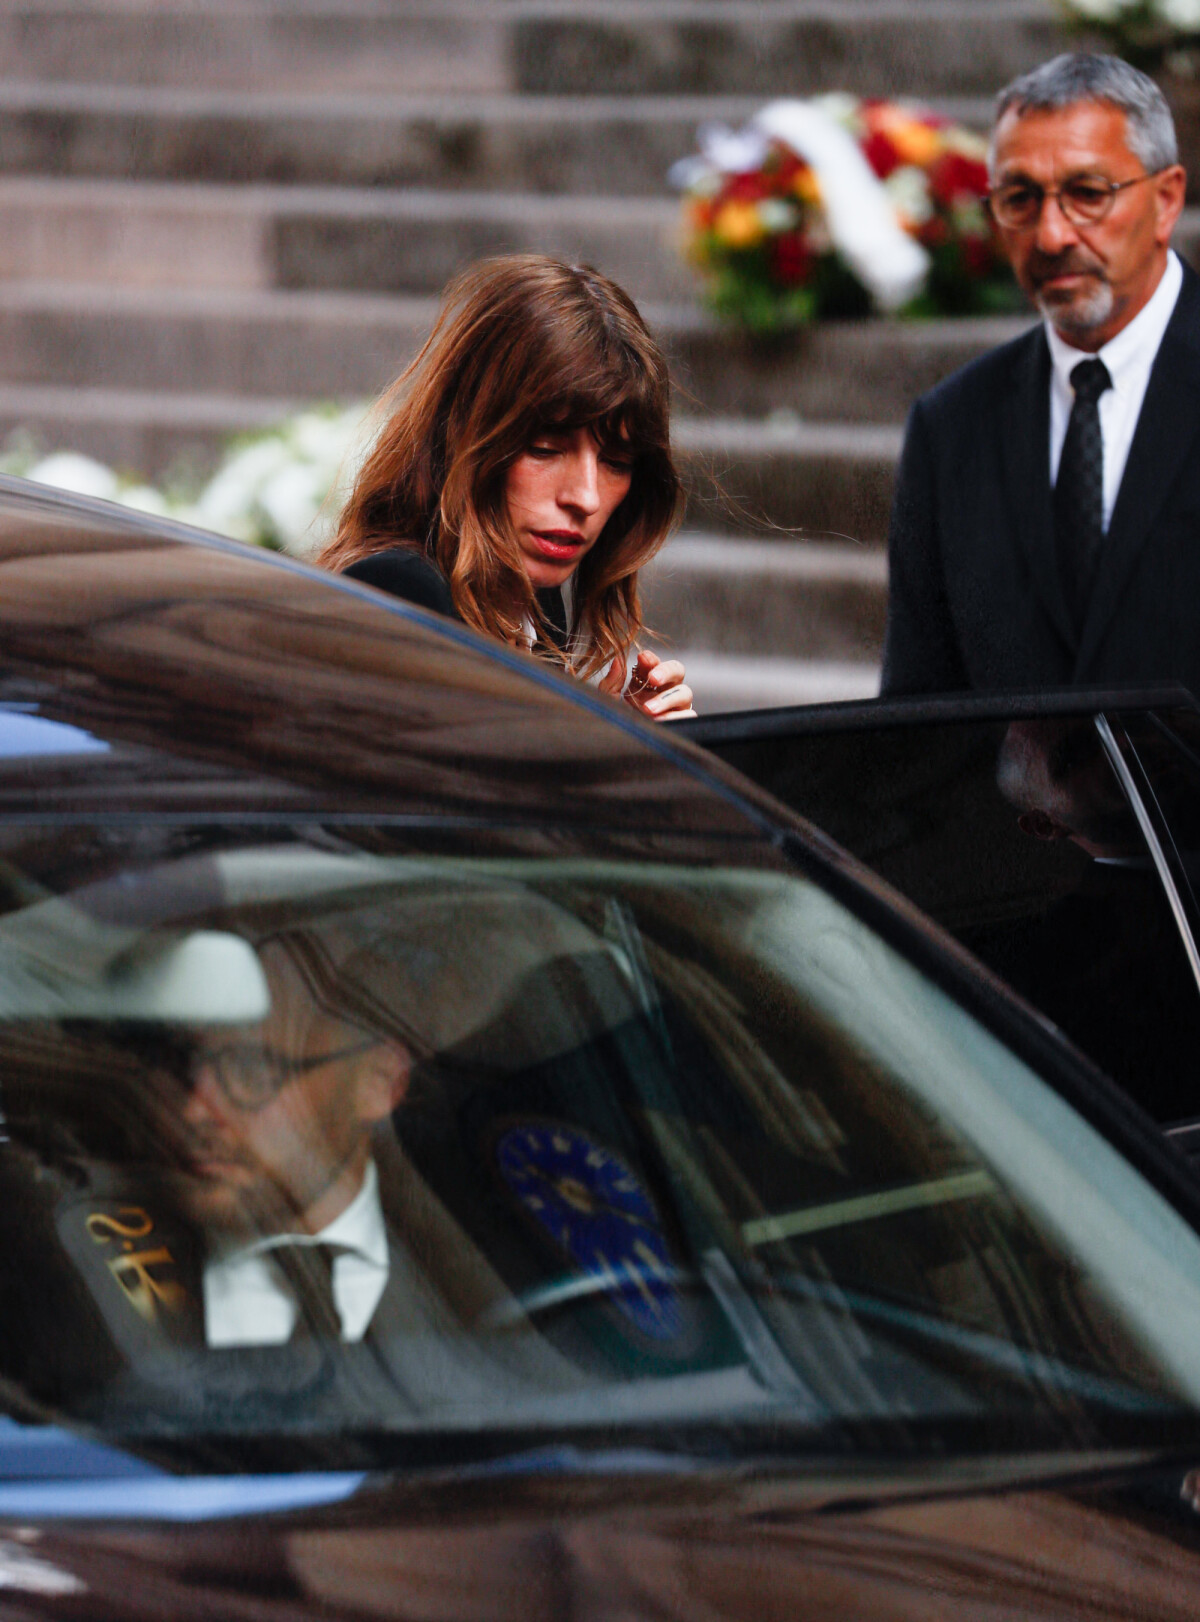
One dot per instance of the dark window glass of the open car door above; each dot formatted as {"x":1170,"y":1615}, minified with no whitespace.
{"x":1019,"y":841}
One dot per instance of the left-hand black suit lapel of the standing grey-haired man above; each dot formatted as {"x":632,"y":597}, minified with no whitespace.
{"x":1026,"y":471}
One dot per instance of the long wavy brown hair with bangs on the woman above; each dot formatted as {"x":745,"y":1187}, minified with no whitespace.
{"x":523,"y":346}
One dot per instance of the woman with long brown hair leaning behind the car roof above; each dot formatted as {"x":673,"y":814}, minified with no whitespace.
{"x":523,"y":452}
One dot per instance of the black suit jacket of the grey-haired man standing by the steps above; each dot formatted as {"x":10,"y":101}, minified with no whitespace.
{"x":975,"y":598}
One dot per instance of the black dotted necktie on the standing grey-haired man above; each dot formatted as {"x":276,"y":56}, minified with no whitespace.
{"x":1079,"y":494}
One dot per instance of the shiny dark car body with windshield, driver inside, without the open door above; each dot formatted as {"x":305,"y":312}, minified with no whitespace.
{"x":471,"y":1154}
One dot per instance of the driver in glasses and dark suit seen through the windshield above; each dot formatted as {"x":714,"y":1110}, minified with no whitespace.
{"x":276,"y":1256}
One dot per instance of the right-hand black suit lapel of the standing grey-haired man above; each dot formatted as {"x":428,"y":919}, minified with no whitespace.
{"x":1165,"y":434}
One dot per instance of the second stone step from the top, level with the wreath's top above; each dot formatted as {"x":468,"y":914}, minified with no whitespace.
{"x":516,"y":144}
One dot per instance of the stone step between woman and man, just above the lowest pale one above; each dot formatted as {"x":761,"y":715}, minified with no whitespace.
{"x":774,"y":598}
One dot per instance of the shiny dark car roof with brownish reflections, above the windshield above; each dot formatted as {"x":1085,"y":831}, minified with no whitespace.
{"x":223,"y":674}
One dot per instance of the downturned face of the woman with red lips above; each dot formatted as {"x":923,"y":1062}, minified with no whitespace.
{"x":560,"y":494}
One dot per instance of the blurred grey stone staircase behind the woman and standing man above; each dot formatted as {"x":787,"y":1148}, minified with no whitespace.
{"x":220,"y":210}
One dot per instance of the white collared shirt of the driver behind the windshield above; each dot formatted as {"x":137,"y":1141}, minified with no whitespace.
{"x":249,"y":1305}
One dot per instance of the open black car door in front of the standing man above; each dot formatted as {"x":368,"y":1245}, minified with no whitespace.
{"x":1056,"y":836}
